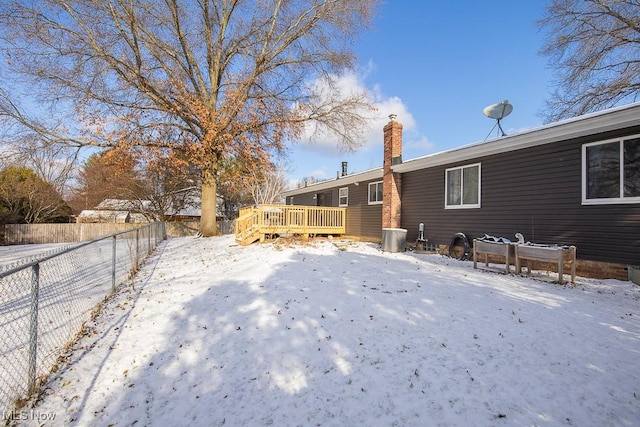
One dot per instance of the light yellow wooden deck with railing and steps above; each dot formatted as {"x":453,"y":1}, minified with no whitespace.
{"x":255,"y":223}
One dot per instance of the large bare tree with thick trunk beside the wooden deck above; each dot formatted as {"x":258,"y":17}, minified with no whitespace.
{"x":209,"y":78}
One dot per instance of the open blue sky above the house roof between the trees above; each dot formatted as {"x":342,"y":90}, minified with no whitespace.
{"x":437,"y":64}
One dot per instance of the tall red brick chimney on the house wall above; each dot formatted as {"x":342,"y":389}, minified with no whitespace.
{"x":391,"y":182}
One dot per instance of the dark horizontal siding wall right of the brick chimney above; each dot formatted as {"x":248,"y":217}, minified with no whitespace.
{"x":536,"y":192}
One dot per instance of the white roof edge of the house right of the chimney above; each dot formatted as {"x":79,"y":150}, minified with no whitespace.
{"x":588,"y":124}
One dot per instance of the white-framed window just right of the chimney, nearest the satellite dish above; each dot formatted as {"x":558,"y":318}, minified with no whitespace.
{"x":462,"y":187}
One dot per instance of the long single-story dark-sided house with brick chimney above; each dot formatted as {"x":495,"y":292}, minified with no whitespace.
{"x":576,"y":182}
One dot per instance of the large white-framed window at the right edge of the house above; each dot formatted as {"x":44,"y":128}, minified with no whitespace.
{"x":611,"y":171}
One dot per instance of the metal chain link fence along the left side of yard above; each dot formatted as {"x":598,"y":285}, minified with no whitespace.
{"x":46,"y":300}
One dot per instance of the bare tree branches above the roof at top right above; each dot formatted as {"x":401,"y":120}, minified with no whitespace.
{"x":594,"y":48}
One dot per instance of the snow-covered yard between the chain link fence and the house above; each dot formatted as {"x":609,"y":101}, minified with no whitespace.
{"x":217,"y":334}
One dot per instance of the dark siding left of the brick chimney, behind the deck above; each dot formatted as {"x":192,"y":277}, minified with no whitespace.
{"x":363,"y":220}
